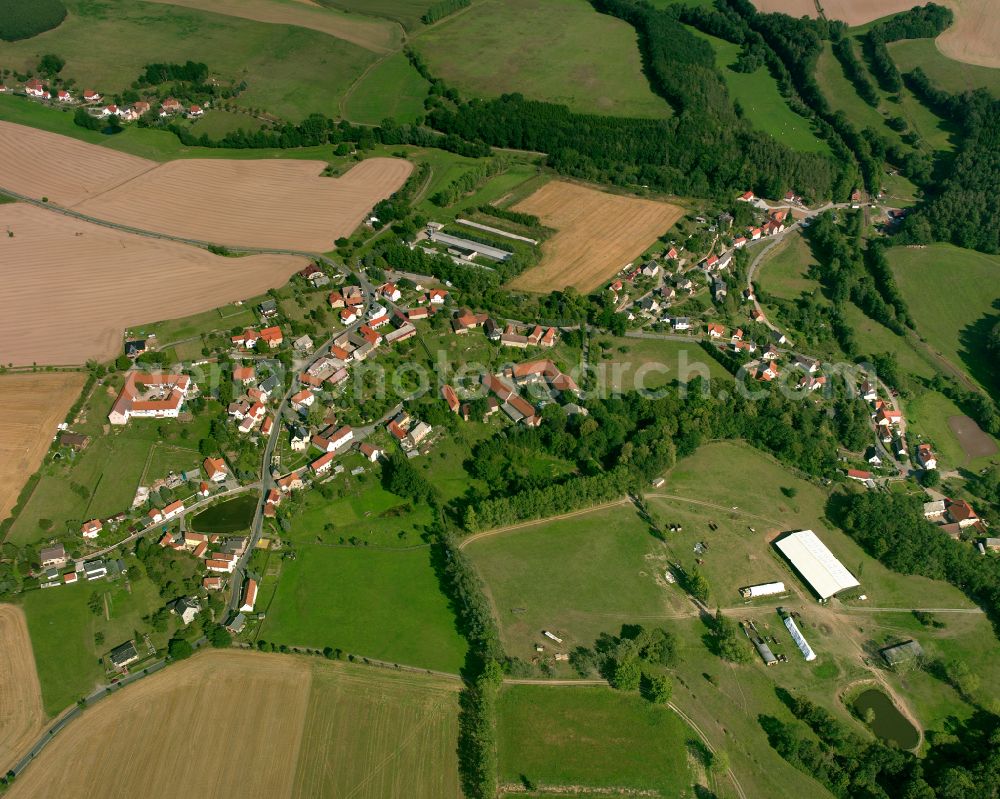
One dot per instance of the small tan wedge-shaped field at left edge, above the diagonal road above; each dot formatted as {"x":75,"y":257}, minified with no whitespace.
{"x":39,"y":164}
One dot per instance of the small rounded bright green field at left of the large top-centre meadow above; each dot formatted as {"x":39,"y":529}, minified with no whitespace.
{"x":391,"y":88}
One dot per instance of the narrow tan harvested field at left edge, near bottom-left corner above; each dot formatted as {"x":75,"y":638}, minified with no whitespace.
{"x":21,"y":716}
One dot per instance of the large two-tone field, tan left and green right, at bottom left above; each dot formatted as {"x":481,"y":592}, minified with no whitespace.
{"x":232,"y":723}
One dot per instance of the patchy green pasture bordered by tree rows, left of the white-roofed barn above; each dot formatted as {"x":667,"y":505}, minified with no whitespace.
{"x":575,"y":577}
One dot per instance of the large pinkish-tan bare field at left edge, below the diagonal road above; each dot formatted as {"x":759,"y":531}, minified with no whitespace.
{"x":72,"y":287}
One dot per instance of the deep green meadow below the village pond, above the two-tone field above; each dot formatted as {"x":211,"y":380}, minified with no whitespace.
{"x":379,"y":603}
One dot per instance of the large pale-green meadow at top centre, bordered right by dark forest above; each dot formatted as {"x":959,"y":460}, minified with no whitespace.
{"x":502,"y":46}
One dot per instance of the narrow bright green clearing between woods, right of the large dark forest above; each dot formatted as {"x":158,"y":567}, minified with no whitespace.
{"x":757,"y":93}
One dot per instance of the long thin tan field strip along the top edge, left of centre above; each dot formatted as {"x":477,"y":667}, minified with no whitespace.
{"x":357,"y":29}
